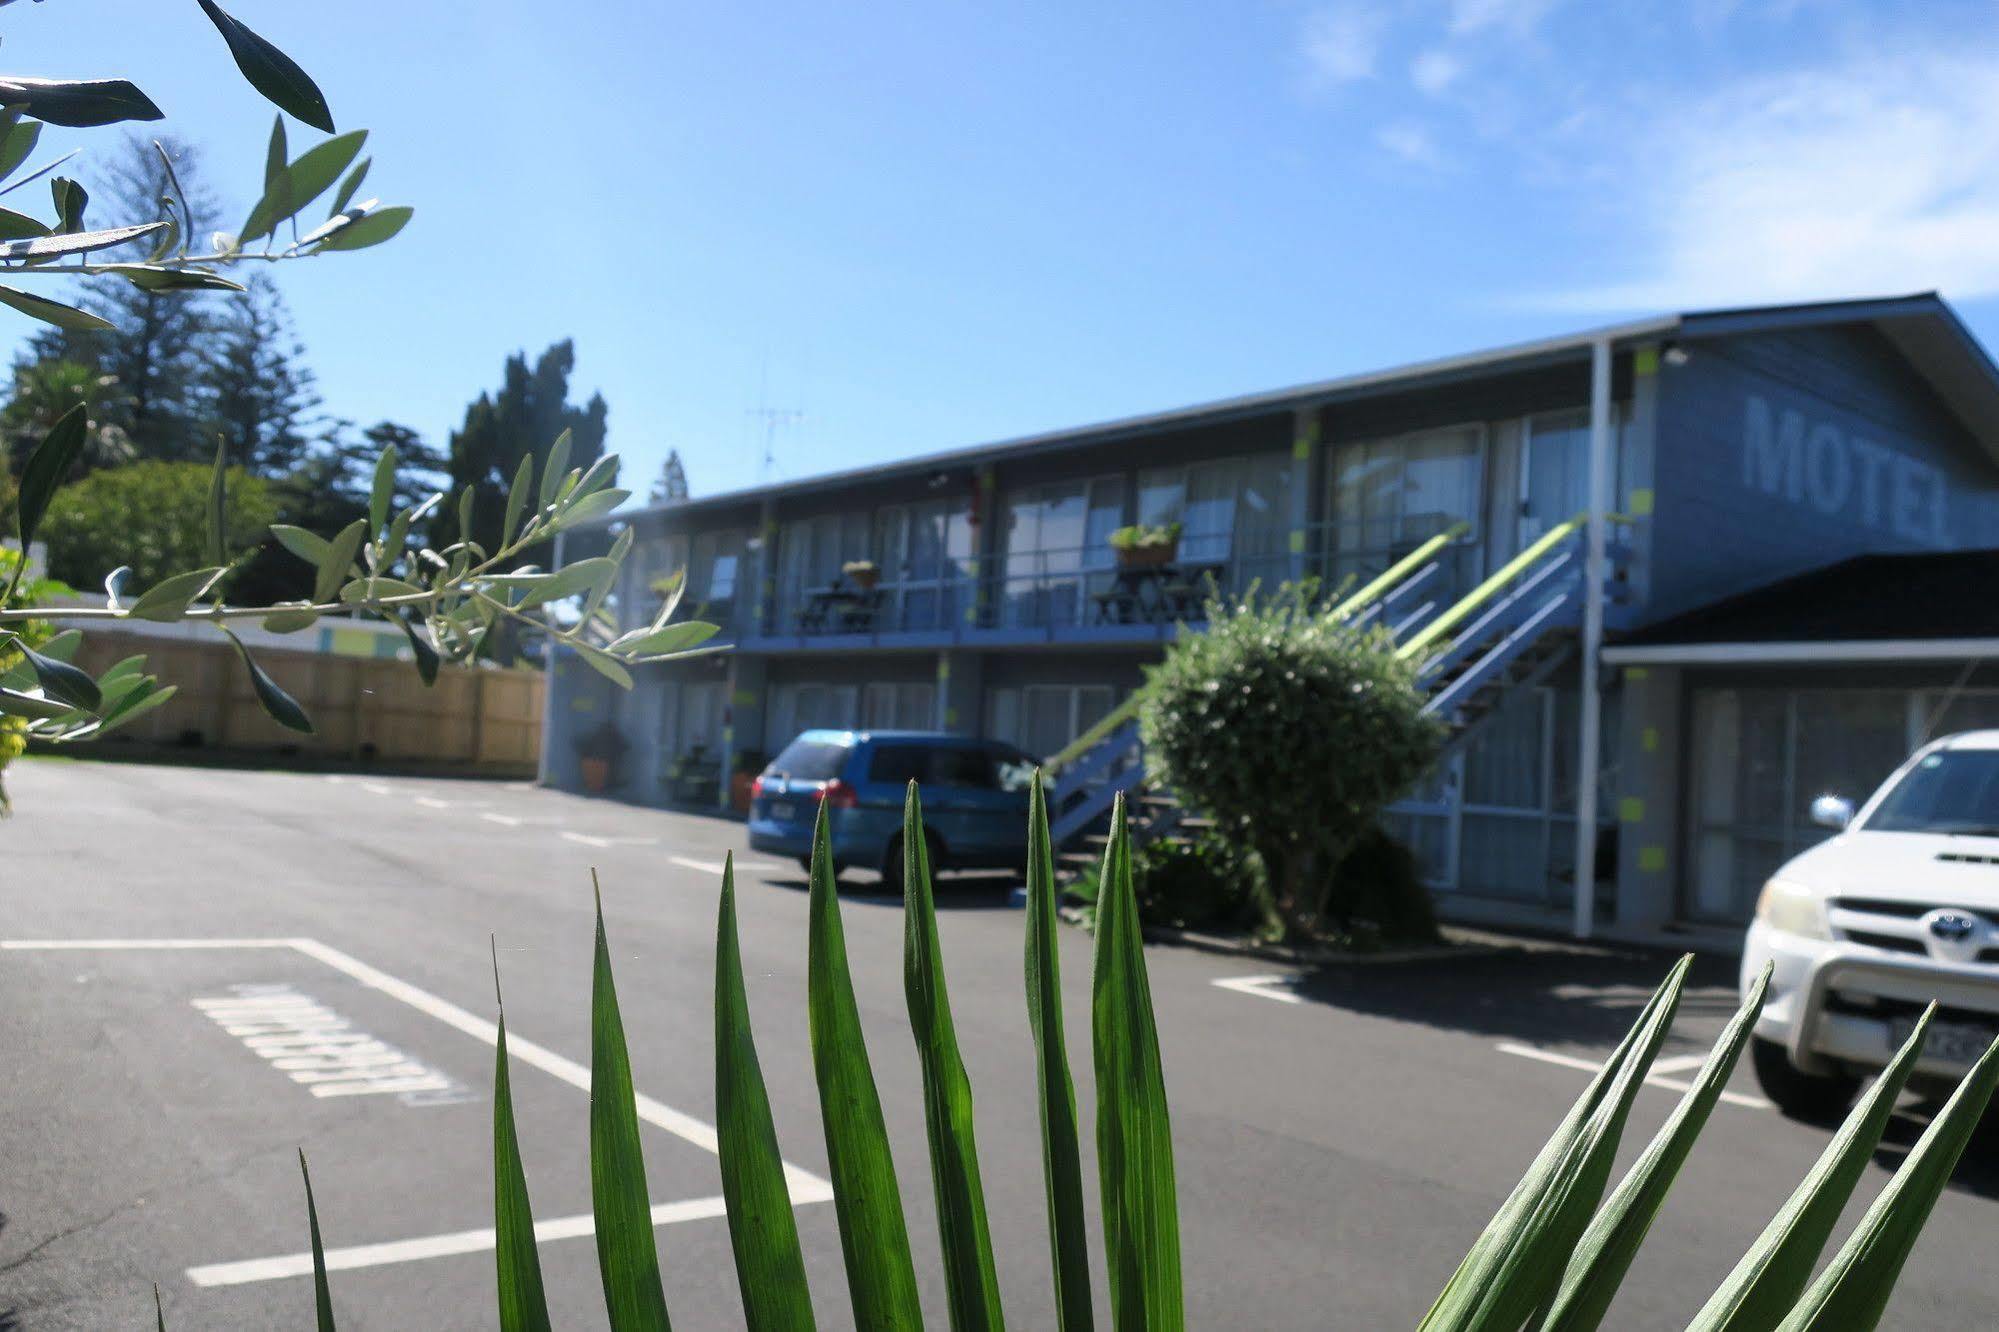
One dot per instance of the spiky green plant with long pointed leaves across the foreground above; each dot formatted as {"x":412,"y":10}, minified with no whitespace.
{"x":1552,"y":1259}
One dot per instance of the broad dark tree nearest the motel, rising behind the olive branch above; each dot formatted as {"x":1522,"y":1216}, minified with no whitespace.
{"x":525,"y":417}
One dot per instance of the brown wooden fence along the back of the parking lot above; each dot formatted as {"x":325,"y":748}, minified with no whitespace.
{"x":363,"y":709}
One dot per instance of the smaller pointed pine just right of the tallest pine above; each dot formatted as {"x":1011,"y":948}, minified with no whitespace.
{"x":255,"y":389}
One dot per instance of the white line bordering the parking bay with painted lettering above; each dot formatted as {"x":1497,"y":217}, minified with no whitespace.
{"x":803,"y":1185}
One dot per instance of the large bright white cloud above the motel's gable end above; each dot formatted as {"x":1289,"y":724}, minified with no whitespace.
{"x":1860,"y":179}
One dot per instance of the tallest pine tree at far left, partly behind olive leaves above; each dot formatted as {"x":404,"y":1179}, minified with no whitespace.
{"x":155,"y":349}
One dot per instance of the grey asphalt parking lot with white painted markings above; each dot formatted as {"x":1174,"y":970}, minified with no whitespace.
{"x":205,"y":971}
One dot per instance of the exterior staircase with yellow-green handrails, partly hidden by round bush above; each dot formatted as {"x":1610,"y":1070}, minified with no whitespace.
{"x":1512,"y":631}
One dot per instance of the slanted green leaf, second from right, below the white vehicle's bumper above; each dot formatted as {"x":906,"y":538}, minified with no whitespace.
{"x":1768,"y":1281}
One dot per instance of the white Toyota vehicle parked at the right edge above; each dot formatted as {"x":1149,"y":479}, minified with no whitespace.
{"x":1870,"y":927}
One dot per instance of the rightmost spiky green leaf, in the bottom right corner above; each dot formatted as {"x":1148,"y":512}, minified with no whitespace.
{"x":1854,"y":1289}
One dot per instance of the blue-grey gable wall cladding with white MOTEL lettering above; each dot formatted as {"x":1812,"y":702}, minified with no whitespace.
{"x":1788,"y":451}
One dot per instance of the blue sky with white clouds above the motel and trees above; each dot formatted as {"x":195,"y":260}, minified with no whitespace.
{"x":951,"y":223}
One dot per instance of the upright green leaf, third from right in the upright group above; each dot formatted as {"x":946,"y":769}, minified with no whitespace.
{"x":971,"y":1285}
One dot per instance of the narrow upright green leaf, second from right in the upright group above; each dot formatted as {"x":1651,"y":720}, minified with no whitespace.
{"x":1062,"y":1165}
